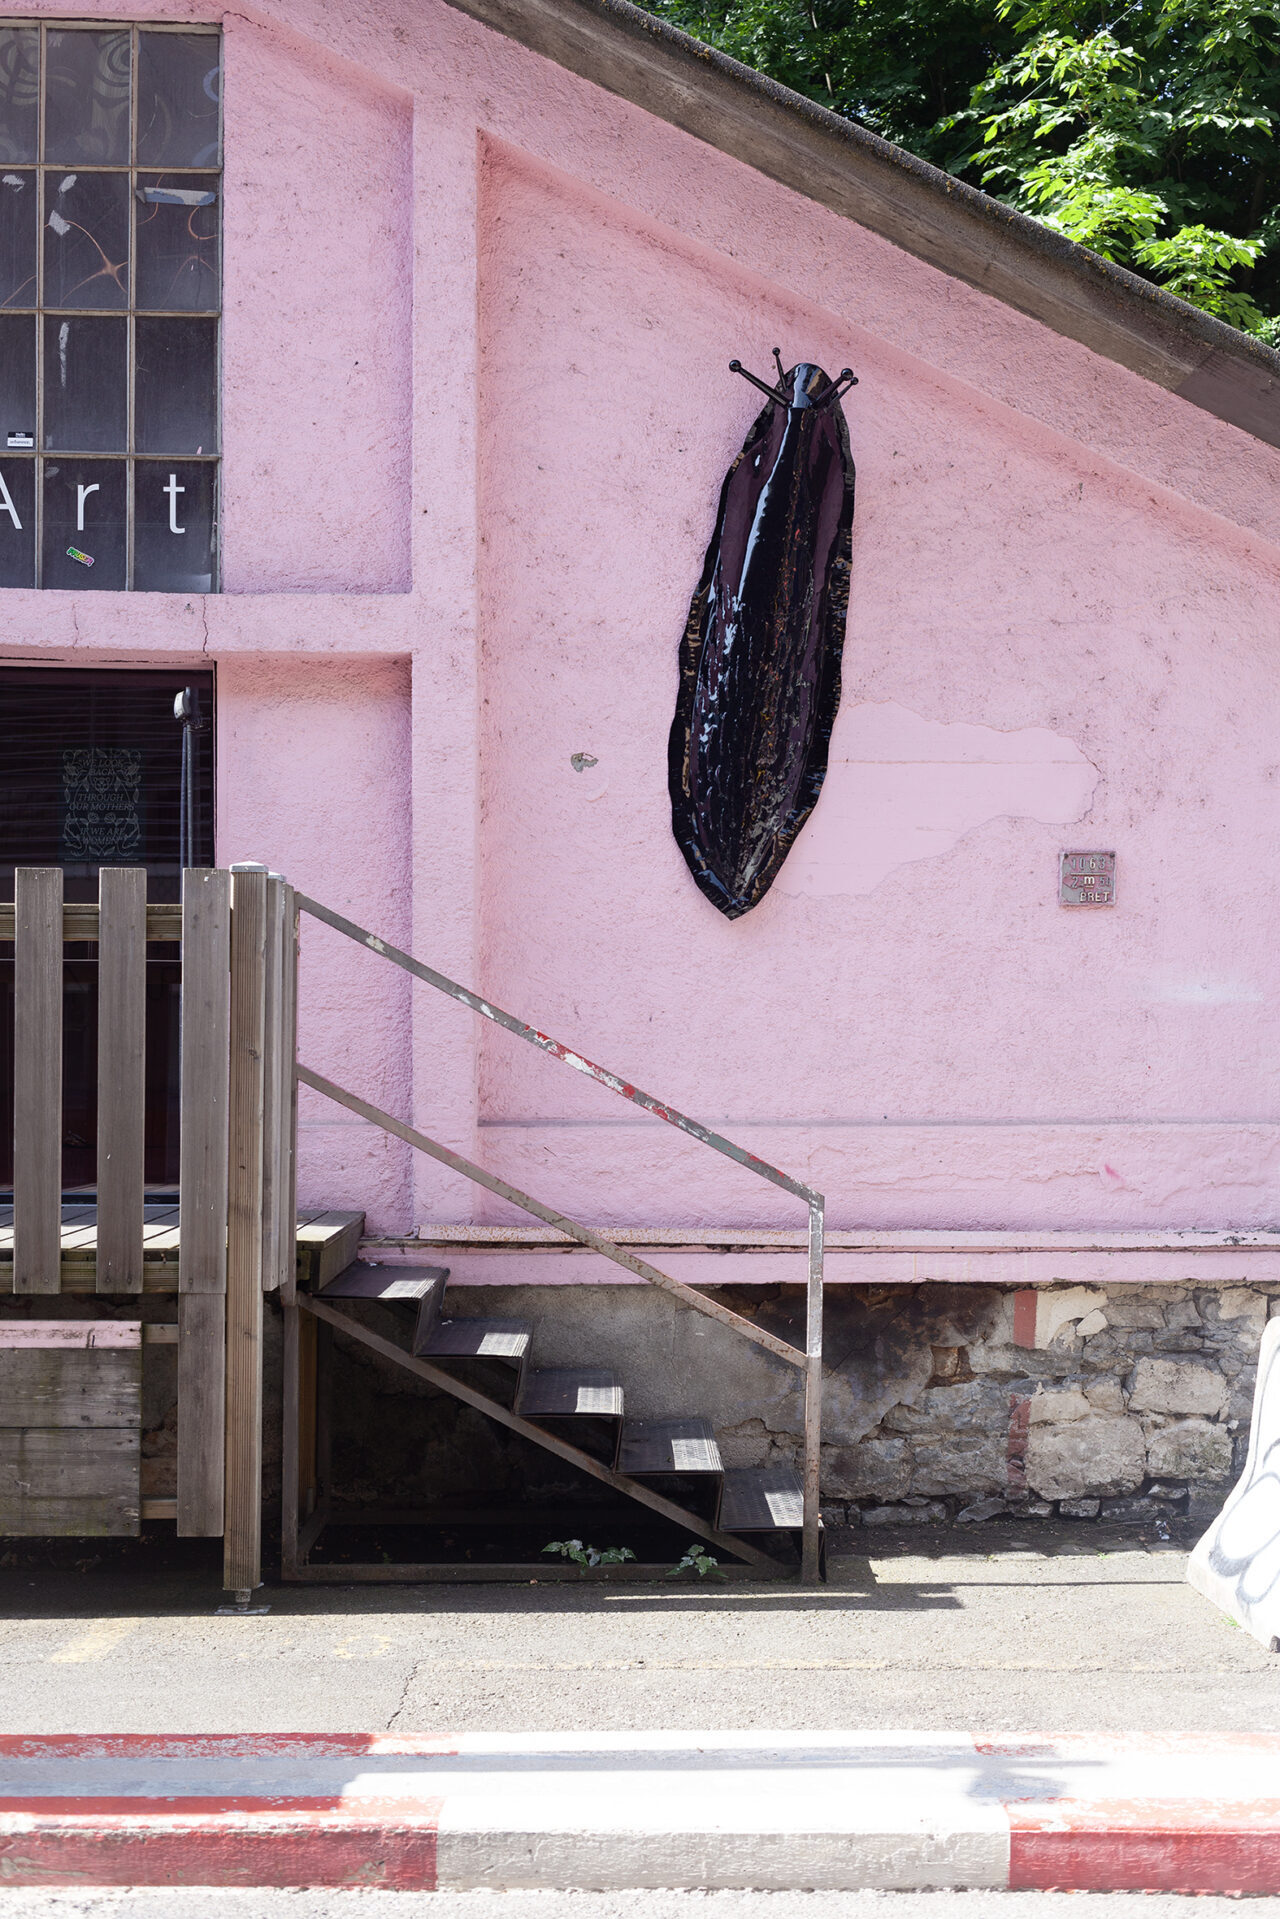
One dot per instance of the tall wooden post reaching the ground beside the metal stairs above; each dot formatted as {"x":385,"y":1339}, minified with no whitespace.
{"x":243,"y":1546}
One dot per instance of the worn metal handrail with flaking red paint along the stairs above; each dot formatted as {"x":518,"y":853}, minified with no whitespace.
{"x":811,"y":1360}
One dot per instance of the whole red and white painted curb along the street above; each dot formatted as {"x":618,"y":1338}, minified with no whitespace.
{"x":1183,"y":1812}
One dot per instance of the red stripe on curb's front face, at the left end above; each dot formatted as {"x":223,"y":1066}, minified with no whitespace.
{"x":283,"y":1851}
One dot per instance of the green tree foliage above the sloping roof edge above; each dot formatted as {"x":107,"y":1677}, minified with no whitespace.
{"x":1149,"y":135}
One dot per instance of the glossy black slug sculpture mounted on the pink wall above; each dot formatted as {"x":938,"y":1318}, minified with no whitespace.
{"x":761,"y":659}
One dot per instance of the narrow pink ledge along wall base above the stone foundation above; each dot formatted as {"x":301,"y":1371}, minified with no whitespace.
{"x":734,"y":1256}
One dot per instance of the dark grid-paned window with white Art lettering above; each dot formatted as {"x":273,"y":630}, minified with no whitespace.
{"x":110,"y":293}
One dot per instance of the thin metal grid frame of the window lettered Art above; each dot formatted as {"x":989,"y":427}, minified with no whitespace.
{"x":133,"y":170}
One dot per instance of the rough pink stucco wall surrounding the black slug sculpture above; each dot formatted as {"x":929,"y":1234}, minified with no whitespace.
{"x":477,"y":414}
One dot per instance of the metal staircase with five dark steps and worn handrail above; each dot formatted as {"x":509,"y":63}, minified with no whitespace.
{"x":573,"y":1413}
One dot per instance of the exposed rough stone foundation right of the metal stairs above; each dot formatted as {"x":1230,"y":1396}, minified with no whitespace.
{"x":1133,"y":1408}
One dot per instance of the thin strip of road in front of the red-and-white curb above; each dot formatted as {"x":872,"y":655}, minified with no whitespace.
{"x":208,"y":1905}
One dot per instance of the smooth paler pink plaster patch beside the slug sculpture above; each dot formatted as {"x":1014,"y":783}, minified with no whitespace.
{"x":901,"y":788}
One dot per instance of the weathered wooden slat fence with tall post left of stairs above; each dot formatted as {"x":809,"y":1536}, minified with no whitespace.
{"x":235,"y":1227}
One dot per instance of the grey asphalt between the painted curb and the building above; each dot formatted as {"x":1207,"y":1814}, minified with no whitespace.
{"x":972,"y":1634}
